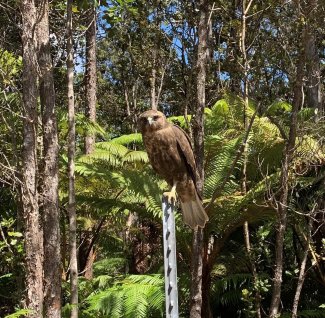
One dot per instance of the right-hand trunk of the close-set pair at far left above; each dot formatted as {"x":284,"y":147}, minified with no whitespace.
{"x":50,"y":209}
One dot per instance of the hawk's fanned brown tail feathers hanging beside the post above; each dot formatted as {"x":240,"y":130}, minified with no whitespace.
{"x":194,"y":214}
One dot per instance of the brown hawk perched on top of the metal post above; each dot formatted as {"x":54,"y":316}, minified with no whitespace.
{"x":171,"y":156}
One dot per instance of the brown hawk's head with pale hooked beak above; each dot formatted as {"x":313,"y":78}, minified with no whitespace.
{"x":152,"y":120}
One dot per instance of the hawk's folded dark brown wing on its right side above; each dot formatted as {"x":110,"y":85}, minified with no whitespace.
{"x":186,"y":151}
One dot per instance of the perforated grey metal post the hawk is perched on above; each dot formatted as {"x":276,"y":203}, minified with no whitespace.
{"x":170,"y":263}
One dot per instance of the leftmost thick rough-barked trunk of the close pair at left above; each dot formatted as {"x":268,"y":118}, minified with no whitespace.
{"x":31,"y":217}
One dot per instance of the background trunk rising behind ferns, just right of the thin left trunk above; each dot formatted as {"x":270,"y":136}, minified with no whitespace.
{"x":90,"y":76}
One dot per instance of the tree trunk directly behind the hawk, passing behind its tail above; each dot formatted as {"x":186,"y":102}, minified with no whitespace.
{"x":198,"y":131}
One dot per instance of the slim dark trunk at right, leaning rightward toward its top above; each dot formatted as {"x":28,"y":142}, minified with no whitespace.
{"x":282,"y":204}
